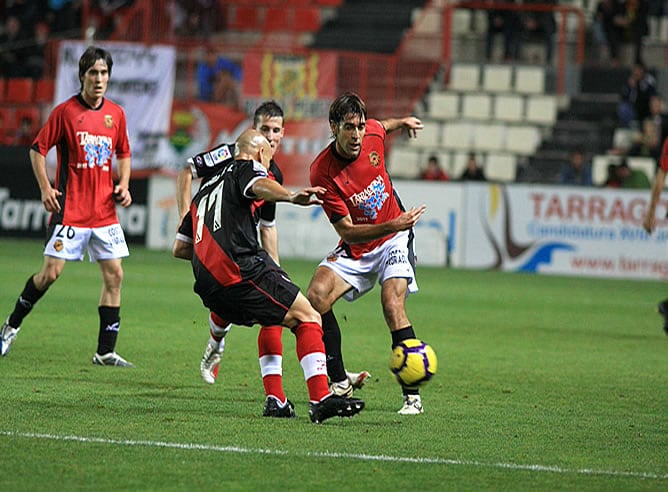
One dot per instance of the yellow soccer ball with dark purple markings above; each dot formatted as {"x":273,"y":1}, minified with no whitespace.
{"x":413,"y":362}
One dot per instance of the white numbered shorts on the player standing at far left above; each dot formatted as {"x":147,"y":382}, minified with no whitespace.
{"x":102,"y":243}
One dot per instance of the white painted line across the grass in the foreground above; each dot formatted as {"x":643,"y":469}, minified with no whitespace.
{"x":327,"y":454}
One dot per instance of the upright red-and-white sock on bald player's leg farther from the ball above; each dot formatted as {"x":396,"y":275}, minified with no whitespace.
{"x":270,"y":351}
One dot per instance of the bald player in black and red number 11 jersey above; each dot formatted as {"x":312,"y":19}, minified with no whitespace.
{"x":238,"y":280}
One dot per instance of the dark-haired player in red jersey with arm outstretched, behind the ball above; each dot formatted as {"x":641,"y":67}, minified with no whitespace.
{"x":376,"y":232}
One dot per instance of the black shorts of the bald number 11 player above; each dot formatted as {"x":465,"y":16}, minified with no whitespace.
{"x":264,"y":300}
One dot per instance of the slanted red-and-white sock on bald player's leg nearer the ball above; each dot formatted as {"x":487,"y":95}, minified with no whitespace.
{"x":311,"y":355}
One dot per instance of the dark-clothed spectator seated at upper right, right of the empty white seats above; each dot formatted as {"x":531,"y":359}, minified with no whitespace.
{"x":635,"y":96}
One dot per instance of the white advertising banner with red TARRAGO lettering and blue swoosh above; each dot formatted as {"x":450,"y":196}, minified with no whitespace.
{"x":562,"y":230}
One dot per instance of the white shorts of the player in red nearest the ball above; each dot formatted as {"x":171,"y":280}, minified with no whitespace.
{"x":393,"y":259}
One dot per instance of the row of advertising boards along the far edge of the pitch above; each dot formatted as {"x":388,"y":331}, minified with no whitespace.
{"x":511,"y":227}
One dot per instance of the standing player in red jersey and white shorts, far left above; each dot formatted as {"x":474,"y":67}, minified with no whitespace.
{"x":87,"y":130}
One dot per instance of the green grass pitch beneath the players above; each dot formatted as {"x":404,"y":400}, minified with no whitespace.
{"x":544,"y":383}
